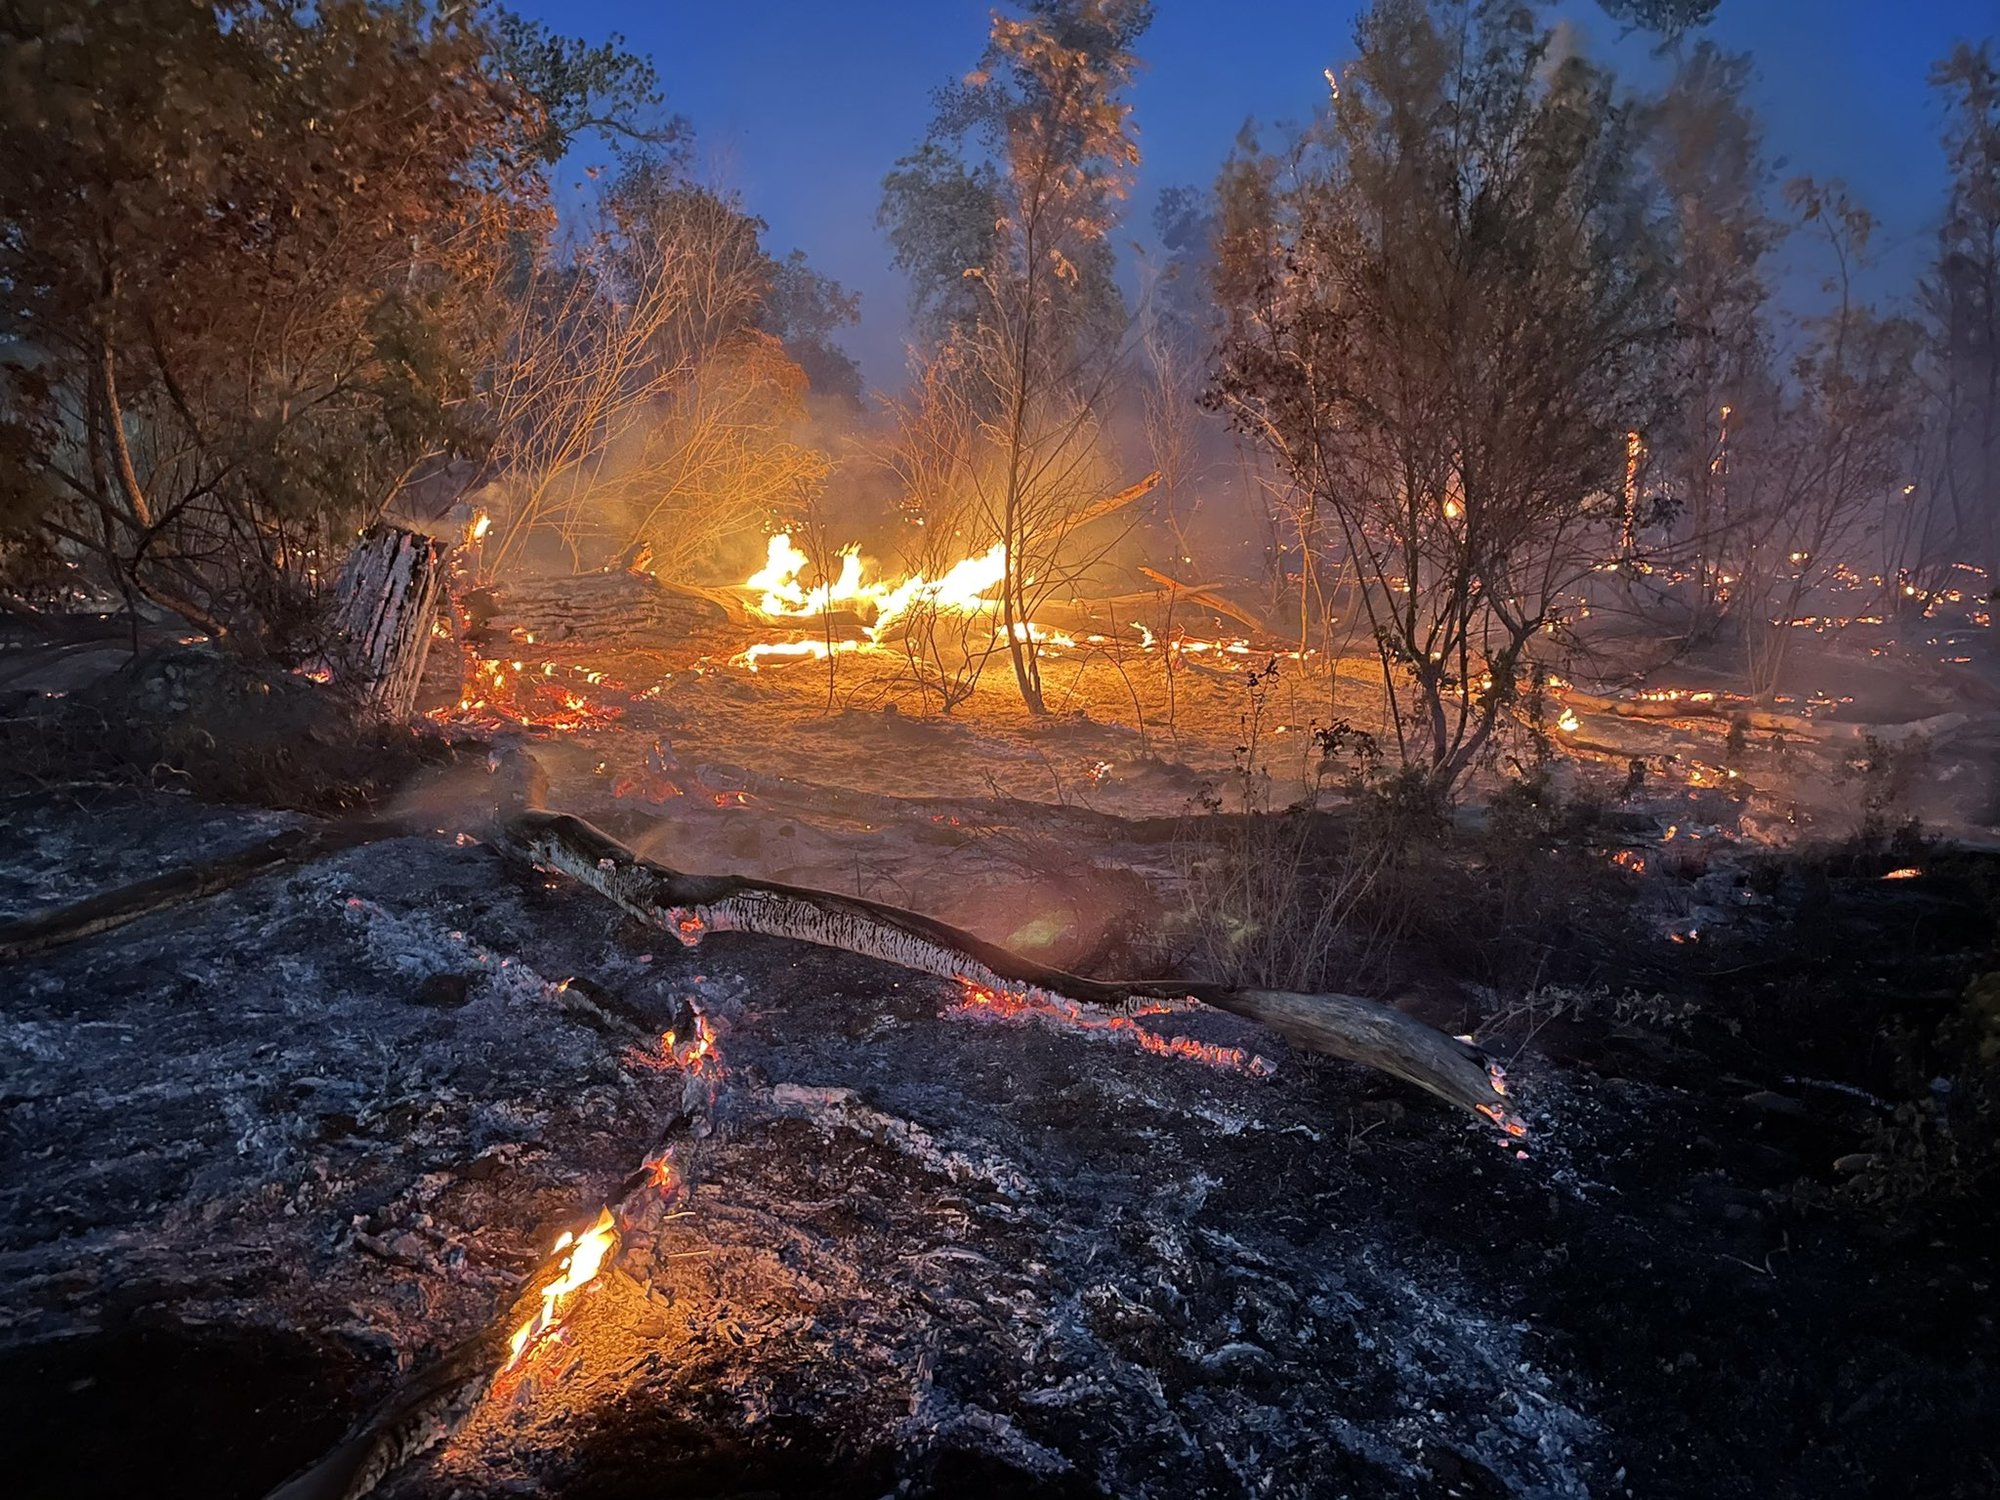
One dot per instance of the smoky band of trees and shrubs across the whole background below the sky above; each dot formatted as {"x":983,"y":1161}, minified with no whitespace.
{"x":1485,"y":349}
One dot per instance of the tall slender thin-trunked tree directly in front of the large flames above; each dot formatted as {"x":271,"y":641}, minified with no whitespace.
{"x":1003,"y":221}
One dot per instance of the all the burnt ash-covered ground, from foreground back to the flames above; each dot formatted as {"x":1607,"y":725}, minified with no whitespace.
{"x":269,"y":1155}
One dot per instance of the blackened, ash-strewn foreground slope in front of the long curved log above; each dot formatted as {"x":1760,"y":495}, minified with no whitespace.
{"x":271,"y":1153}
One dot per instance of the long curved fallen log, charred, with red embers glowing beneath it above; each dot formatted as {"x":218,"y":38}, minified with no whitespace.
{"x":691,"y":907}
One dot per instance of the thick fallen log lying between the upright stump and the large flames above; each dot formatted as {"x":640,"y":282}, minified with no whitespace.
{"x":613,"y":611}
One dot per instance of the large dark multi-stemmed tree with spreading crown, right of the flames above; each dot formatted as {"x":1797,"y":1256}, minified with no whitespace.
{"x":1445,"y":319}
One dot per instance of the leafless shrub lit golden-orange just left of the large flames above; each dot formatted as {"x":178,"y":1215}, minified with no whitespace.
{"x":637,"y":403}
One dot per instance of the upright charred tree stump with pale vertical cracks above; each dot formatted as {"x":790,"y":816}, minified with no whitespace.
{"x":383,"y":613}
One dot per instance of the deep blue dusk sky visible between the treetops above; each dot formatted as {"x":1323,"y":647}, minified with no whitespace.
{"x":803,"y":107}
